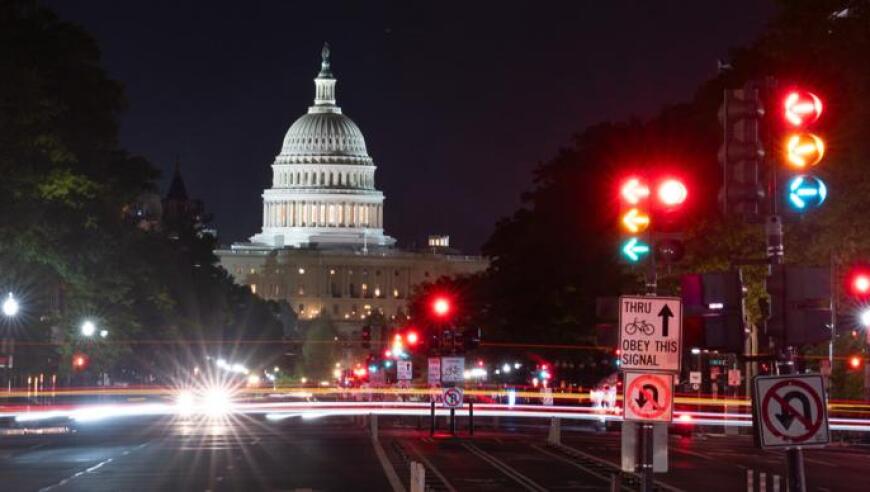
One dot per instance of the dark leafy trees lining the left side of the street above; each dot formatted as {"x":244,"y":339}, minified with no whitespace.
{"x":67,"y":248}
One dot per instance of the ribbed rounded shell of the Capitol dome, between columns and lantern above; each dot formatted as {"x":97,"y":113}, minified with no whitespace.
{"x":324,"y":133}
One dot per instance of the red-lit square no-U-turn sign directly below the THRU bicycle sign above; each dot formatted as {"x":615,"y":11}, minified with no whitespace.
{"x":649,"y":397}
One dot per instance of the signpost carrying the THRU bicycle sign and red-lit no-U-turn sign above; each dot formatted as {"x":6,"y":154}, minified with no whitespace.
{"x":650,"y":345}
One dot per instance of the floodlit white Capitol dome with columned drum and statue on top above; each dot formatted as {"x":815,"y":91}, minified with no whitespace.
{"x":323,"y":181}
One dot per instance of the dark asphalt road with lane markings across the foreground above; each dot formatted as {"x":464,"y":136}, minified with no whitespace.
{"x":338,"y":453}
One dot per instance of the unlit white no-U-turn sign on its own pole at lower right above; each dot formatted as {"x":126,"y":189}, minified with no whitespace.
{"x":791,"y":411}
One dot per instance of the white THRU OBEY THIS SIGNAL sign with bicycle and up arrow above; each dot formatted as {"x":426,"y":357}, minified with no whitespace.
{"x":650,"y":333}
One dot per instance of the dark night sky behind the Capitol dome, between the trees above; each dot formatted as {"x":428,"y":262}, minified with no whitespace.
{"x":458,"y":101}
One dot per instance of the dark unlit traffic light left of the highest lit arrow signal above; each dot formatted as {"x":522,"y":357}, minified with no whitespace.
{"x":742,"y":152}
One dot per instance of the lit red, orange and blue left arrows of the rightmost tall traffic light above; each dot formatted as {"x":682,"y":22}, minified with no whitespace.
{"x":802,"y":149}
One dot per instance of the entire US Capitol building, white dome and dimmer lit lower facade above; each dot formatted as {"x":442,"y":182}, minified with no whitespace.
{"x":322,"y":247}
